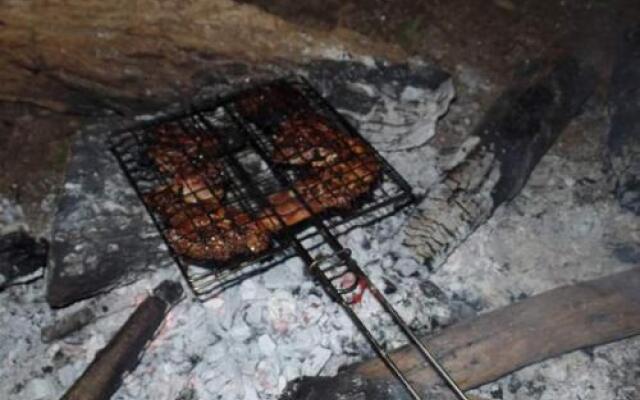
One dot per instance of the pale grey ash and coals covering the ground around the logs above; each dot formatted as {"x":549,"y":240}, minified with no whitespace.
{"x":246,"y":344}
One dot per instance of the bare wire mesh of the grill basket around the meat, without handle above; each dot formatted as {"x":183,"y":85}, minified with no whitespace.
{"x":207,"y":281}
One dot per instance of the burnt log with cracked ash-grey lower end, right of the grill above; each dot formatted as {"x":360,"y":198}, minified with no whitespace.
{"x":501,"y":153}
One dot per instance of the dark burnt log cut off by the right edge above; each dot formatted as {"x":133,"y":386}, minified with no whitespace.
{"x":623,"y":141}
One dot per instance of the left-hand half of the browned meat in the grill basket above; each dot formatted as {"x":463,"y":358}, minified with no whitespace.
{"x":199,"y":227}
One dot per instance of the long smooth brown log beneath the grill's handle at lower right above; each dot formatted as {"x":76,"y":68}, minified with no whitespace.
{"x":474,"y":352}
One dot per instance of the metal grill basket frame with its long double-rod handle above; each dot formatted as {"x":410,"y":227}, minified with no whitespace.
{"x":328,"y":269}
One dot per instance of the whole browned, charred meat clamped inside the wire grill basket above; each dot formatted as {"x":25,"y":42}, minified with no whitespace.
{"x":337,"y":170}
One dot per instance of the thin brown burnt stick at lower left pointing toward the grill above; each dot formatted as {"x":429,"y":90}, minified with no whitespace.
{"x":104,"y":375}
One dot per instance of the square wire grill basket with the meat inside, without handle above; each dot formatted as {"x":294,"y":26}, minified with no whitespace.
{"x":232,"y":184}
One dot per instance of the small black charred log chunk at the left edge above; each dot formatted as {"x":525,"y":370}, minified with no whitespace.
{"x":22,"y":258}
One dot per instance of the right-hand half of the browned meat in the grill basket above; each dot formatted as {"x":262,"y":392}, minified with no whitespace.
{"x":340,"y":168}
